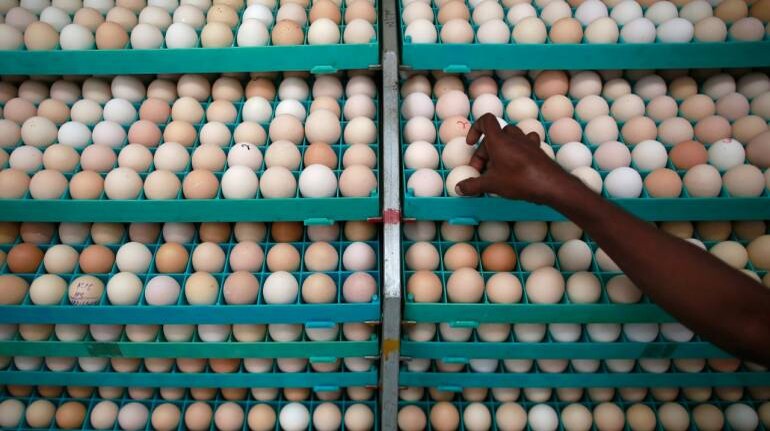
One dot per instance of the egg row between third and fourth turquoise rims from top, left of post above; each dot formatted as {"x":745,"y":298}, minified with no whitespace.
{"x":207,"y":333}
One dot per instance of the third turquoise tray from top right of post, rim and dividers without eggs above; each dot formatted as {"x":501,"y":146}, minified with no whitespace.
{"x":471,"y":314}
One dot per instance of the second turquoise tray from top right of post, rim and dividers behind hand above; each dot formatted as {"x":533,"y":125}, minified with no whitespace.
{"x":471,"y":210}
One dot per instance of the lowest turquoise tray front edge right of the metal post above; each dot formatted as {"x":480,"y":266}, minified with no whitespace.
{"x":604,"y":378}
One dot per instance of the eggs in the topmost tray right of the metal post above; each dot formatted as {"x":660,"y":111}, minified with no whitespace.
{"x":589,"y":22}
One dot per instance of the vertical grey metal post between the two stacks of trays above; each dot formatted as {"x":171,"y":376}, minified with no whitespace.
{"x":391,"y":300}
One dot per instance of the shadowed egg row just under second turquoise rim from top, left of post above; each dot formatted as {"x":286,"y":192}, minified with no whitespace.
{"x":183,"y":233}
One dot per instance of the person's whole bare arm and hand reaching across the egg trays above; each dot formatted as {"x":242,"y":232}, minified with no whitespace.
{"x":718,"y":302}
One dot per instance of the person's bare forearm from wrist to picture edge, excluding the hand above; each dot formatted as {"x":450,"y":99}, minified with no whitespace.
{"x":718,"y":302}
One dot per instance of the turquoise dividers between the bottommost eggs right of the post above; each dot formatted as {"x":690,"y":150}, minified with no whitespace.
{"x":426,"y":404}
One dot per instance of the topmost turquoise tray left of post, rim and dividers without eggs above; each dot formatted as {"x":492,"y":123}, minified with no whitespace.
{"x":318,"y":59}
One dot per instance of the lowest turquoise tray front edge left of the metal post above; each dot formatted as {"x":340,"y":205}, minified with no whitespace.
{"x":239,"y":378}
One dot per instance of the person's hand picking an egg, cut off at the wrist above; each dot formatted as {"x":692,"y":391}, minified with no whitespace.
{"x":512,"y":165}
